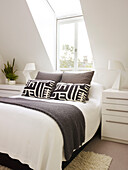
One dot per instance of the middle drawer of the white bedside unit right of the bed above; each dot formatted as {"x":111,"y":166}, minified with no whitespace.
{"x":115,"y":110}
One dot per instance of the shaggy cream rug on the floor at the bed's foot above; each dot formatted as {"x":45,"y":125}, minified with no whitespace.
{"x":86,"y":161}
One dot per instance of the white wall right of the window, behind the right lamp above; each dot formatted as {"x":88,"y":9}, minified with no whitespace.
{"x":107,"y":26}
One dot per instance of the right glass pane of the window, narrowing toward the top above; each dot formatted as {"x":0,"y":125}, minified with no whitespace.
{"x":84,"y":50}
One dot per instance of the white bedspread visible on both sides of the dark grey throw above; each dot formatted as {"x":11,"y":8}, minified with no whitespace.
{"x":35,"y":139}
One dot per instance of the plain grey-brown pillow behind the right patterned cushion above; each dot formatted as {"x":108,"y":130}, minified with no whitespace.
{"x":85,"y":77}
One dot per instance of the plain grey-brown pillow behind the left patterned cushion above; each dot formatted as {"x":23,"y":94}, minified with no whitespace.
{"x":49,"y":76}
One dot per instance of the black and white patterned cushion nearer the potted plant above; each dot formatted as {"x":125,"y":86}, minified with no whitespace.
{"x":39,"y":88}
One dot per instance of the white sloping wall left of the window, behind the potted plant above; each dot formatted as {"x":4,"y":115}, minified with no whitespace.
{"x":19,"y":37}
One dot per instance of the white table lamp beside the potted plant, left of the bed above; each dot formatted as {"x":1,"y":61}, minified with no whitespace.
{"x":29,"y":67}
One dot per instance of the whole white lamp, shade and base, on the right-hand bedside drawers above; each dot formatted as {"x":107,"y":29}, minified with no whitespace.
{"x":118,"y":66}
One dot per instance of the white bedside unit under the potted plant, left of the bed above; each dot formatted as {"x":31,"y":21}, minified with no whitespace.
{"x":10,"y":90}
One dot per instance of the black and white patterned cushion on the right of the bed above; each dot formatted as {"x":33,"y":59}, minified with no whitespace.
{"x":69,"y":91}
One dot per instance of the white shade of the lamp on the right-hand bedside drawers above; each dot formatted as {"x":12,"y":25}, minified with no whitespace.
{"x":115,"y":65}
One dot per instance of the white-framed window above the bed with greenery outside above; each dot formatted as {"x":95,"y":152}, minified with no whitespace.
{"x":73,"y":48}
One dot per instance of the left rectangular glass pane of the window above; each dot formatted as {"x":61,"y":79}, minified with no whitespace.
{"x":66,"y":45}
